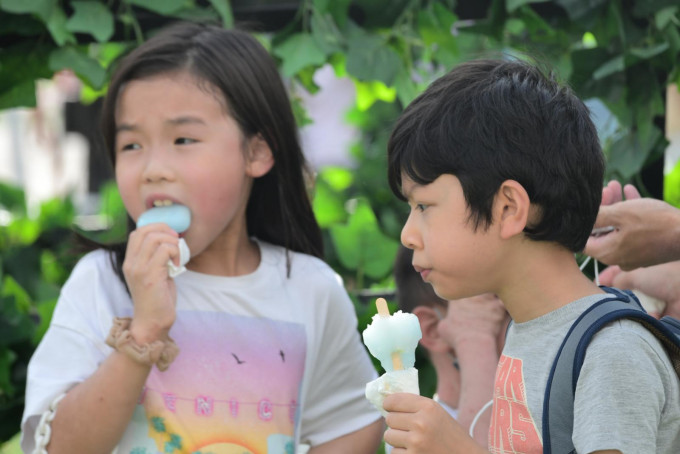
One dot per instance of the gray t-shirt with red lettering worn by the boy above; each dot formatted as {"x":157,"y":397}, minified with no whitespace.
{"x":627,"y":396}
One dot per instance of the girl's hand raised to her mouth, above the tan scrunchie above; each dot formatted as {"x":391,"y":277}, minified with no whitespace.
{"x":146,"y":273}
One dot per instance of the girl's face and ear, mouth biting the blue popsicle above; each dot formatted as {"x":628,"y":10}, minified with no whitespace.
{"x":175,"y":142}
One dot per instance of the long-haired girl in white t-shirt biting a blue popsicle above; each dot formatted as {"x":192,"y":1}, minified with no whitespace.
{"x":269,"y":354}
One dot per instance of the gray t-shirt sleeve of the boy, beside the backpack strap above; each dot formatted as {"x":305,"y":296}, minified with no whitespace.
{"x":620,"y":393}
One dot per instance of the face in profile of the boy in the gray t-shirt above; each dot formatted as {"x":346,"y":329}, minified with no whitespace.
{"x":448,"y":253}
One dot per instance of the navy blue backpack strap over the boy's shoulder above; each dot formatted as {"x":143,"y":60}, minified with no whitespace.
{"x":558,"y":402}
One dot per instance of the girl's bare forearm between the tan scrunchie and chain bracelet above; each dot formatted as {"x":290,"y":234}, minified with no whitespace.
{"x":93,"y":415}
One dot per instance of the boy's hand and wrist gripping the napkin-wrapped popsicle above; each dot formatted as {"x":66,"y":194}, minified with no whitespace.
{"x":418,"y":425}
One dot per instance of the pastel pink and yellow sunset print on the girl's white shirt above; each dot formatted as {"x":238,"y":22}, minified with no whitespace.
{"x":233,"y":389}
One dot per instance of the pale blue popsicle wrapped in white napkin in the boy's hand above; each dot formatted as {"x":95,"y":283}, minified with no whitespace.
{"x":392,"y":339}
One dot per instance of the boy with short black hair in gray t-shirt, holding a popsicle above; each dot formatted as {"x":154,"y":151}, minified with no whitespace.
{"x":503,"y":171}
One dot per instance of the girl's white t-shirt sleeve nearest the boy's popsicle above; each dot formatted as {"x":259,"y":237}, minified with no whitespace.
{"x":335,"y":404}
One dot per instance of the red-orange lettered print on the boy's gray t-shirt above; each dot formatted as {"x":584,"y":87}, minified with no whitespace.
{"x":512,"y":427}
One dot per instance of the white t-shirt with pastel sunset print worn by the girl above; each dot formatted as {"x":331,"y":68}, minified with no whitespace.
{"x":266,"y":361}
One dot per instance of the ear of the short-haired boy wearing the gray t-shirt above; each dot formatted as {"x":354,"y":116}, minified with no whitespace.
{"x":512,"y":208}
